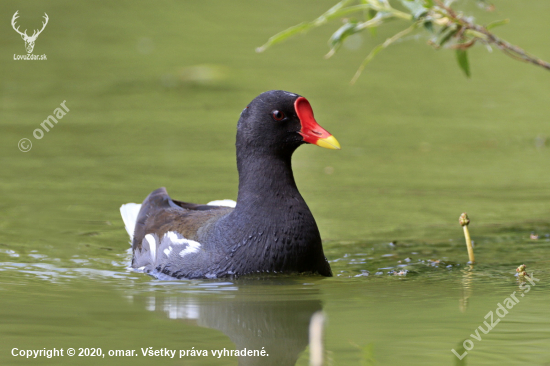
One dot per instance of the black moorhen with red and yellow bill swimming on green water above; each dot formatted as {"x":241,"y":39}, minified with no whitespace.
{"x":269,"y":229}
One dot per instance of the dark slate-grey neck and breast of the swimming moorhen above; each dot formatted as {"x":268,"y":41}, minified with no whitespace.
{"x":271,"y":227}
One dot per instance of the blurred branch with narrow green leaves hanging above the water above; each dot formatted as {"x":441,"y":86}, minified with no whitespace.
{"x":446,"y":26}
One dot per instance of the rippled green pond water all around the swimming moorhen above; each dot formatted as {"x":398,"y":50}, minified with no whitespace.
{"x":421,"y":144}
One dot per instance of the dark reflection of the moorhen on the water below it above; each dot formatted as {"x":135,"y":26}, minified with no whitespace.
{"x":278,"y":324}
